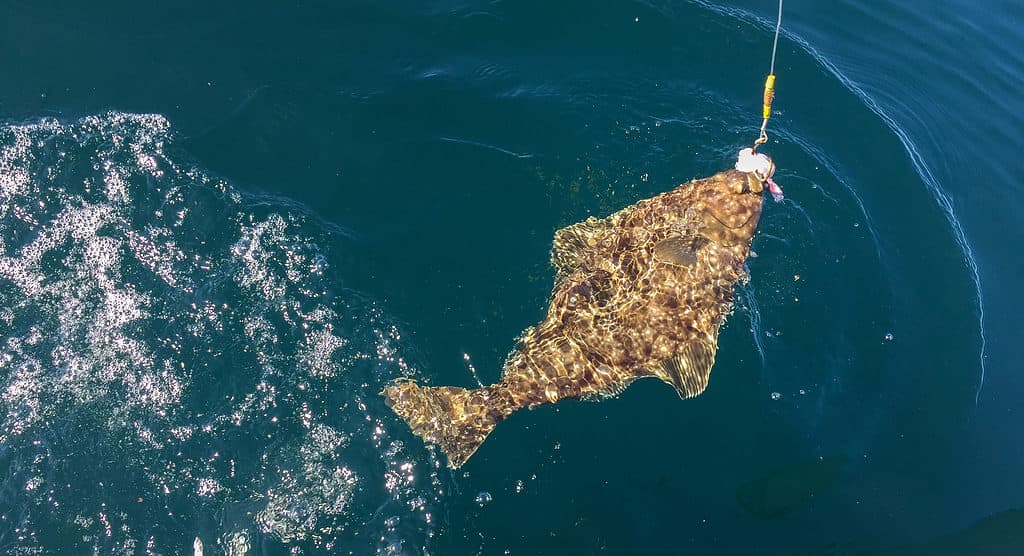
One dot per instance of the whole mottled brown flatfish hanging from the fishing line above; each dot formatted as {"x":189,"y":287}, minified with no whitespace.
{"x":642,"y":293}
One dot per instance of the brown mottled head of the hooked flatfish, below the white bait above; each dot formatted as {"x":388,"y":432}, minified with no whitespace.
{"x":730,"y":206}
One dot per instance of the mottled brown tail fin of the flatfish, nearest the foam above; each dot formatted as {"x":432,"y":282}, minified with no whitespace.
{"x":456,"y":419}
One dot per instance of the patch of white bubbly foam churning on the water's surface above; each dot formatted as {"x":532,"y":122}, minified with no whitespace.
{"x":115,"y":311}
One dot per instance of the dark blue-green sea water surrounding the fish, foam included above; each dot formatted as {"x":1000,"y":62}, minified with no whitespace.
{"x":223,"y":232}
